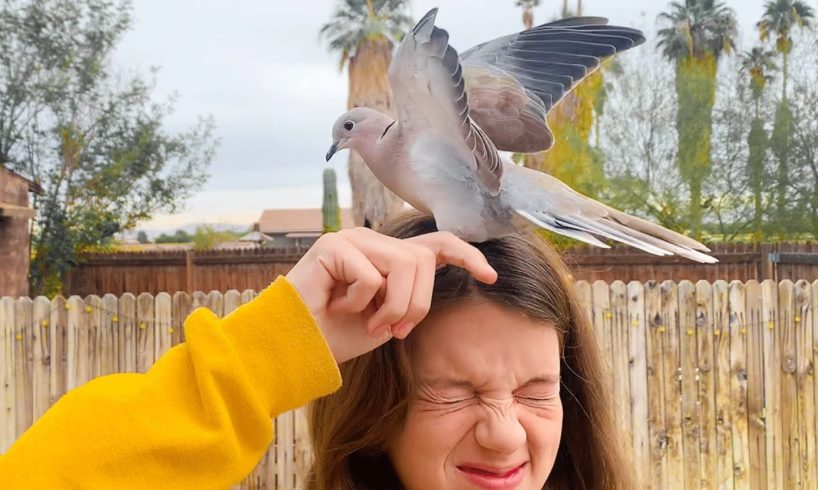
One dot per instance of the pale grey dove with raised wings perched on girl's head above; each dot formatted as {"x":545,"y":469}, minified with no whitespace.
{"x":456,"y":112}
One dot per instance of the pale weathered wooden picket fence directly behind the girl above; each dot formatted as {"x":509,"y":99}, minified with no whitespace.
{"x":714,"y":382}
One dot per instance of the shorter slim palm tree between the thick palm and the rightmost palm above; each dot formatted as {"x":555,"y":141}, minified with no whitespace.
{"x":758,"y":63}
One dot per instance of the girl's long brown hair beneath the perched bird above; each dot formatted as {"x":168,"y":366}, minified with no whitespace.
{"x":352,"y":429}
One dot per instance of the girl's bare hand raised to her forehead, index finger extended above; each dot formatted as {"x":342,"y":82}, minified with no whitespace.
{"x":363,"y":288}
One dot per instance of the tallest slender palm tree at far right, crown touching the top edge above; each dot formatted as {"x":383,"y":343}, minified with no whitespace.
{"x":780,"y":18}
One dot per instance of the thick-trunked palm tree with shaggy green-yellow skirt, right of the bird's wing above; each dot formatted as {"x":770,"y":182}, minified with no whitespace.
{"x":700,"y":31}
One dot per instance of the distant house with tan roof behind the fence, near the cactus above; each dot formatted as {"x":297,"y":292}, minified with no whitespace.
{"x":295,"y":227}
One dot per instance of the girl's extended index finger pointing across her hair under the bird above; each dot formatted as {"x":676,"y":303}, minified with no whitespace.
{"x":452,"y":250}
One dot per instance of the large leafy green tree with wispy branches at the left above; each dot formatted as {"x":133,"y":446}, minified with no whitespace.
{"x":93,"y":139}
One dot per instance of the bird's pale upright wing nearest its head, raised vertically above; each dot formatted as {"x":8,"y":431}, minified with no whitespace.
{"x":429,"y":89}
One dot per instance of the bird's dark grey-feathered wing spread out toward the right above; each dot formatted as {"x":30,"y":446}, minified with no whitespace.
{"x":513,"y":82}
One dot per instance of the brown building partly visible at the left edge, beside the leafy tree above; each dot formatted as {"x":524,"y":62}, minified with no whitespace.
{"x":15,"y":232}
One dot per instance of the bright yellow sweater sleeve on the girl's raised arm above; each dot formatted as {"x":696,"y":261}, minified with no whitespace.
{"x":200,"y":418}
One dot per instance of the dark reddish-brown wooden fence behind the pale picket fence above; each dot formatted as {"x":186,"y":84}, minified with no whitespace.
{"x":221,"y":270}
